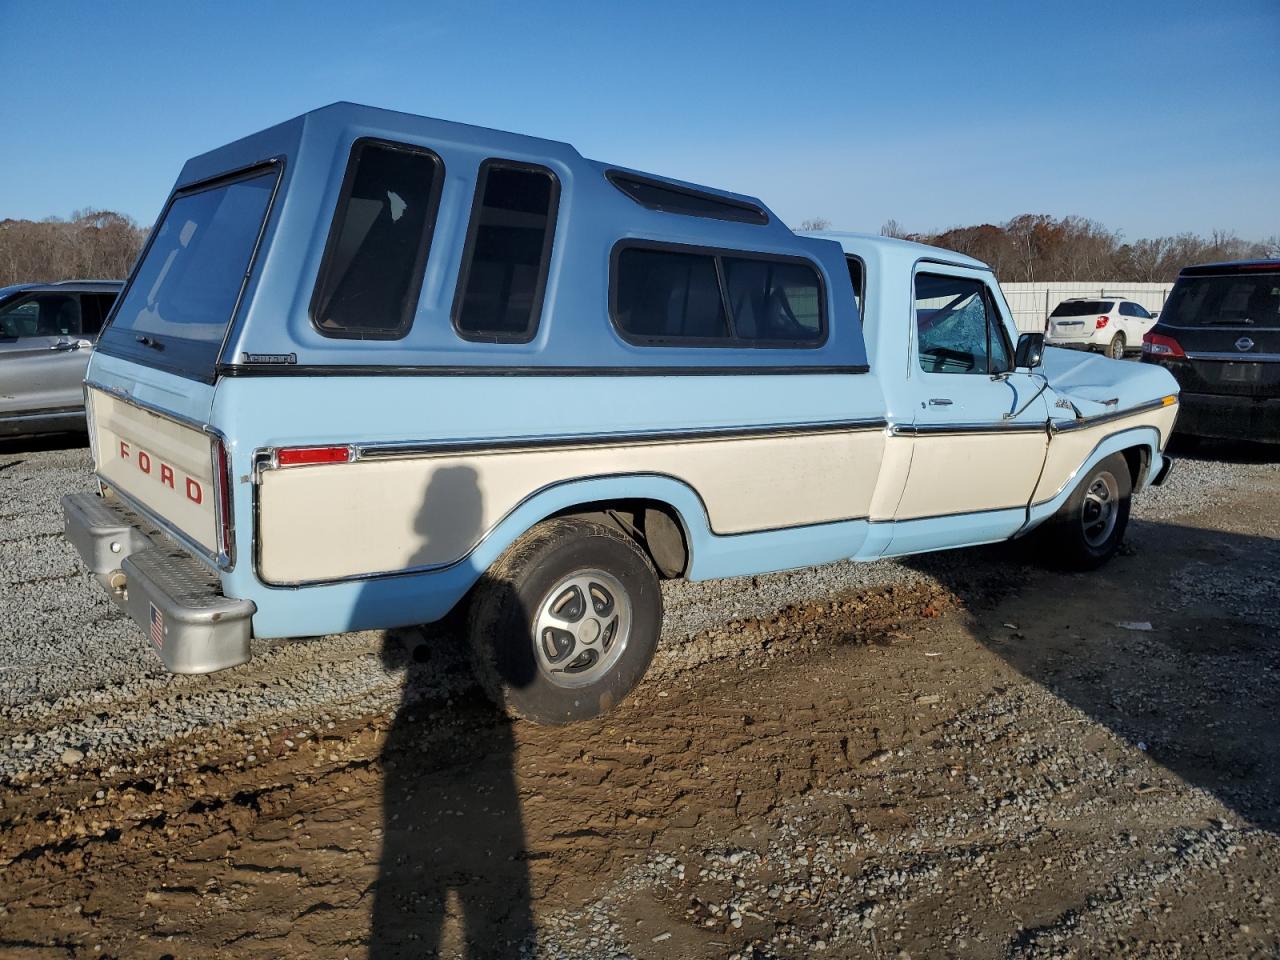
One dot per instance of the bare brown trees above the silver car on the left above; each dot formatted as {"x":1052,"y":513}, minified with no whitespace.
{"x":98,"y":245}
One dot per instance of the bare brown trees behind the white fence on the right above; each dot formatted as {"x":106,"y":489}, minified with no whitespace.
{"x":1037,"y":248}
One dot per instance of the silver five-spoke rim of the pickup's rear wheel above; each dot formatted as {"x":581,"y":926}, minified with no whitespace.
{"x":582,"y":628}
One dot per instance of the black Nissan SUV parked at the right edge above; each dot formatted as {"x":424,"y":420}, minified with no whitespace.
{"x":1220,"y":336}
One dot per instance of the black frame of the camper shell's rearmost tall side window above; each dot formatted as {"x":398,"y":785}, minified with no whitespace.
{"x":419,"y":272}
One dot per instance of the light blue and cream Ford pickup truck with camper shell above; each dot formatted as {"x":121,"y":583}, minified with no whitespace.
{"x":373,"y":365}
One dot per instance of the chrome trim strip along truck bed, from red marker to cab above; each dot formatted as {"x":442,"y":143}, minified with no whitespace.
{"x":415,"y":449}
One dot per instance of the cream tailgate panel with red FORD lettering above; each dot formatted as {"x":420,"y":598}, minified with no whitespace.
{"x":166,"y":467}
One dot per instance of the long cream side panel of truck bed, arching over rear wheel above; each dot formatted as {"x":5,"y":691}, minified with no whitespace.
{"x":374,"y":516}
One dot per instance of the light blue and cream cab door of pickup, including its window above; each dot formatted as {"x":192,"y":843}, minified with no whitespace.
{"x":981,"y":427}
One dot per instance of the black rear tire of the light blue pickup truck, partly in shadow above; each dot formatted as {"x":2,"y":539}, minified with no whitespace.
{"x":506,"y":606}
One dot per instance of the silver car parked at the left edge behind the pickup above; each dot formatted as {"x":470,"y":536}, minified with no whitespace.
{"x":47,"y":335}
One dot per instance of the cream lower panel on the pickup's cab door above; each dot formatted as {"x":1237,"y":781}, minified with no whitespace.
{"x":962,"y":474}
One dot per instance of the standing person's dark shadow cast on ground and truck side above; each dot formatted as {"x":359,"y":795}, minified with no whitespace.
{"x":454,"y":876}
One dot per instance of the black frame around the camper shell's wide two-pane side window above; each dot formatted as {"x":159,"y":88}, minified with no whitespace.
{"x":717,"y":254}
